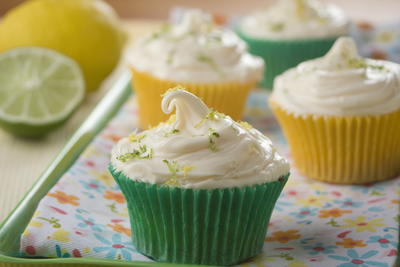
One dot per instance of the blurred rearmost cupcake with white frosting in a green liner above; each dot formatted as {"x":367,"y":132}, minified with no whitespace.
{"x":290,"y":32}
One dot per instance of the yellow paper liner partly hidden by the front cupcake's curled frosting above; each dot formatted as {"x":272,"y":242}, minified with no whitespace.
{"x":228,"y":98}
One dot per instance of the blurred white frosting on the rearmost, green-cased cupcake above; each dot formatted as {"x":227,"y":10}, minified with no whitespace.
{"x":296,"y":19}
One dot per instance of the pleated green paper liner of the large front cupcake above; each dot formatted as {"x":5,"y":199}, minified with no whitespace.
{"x":198,"y":226}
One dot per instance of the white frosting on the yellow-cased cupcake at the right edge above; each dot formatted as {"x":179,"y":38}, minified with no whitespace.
{"x":340,"y":84}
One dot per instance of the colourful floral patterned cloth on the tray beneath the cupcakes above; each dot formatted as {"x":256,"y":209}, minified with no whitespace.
{"x":313,"y":224}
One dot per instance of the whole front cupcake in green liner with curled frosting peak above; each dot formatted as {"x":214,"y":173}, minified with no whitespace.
{"x":200,"y":187}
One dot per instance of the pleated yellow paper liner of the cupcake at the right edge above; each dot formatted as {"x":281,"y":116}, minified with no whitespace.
{"x":345,"y":150}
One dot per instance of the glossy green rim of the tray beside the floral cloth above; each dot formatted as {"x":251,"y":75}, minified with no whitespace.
{"x":13,"y":226}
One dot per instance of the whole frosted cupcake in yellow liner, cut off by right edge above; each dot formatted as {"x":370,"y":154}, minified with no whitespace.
{"x":341,"y":116}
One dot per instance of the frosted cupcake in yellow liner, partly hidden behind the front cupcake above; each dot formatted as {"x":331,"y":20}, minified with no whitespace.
{"x":209,"y":61}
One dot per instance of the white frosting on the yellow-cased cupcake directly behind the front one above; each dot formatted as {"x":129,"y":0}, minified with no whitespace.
{"x":195,"y":50}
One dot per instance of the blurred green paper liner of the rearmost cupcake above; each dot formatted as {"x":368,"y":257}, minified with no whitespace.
{"x":284,"y":54}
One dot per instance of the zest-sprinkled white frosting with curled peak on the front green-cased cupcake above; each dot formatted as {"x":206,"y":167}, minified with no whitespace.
{"x":201,"y":149}
